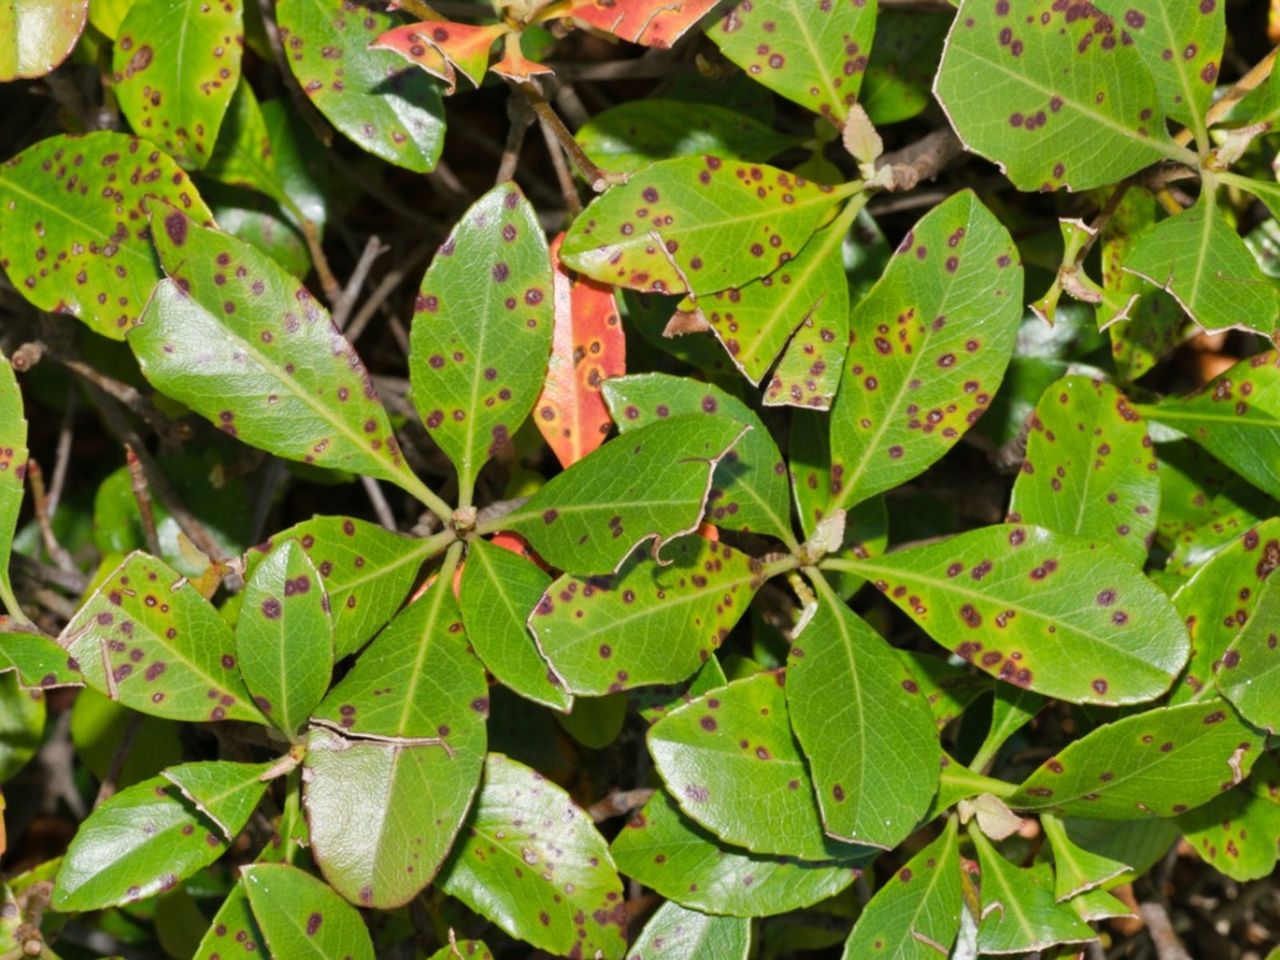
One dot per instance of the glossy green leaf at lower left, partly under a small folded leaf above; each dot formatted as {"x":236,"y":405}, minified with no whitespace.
{"x":141,"y":843}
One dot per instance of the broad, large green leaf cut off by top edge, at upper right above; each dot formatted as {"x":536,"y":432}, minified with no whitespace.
{"x":1053,"y":94}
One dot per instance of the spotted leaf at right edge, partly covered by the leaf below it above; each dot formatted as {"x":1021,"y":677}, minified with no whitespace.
{"x":1219,"y":602}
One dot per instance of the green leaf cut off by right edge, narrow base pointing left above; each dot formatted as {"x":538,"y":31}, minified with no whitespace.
{"x":1237,"y":419}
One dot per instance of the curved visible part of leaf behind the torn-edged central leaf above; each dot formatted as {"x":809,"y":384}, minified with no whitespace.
{"x":749,"y":488}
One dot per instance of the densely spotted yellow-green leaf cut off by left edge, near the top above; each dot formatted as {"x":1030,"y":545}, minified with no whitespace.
{"x":84,"y":250}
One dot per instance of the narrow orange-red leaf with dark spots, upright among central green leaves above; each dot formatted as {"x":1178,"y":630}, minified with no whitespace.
{"x":588,"y":348}
